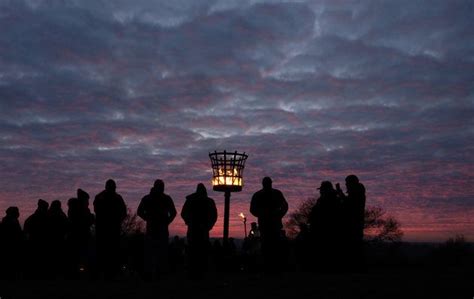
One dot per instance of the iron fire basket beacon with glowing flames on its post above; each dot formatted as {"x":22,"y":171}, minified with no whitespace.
{"x":227,"y":177}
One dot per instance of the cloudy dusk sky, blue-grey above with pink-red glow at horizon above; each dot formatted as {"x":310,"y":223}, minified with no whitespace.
{"x":311,"y":90}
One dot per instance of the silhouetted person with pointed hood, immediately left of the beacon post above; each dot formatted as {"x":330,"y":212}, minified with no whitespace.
{"x":200,"y":214}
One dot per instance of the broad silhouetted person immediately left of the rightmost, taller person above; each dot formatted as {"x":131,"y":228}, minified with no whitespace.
{"x":325,"y":228}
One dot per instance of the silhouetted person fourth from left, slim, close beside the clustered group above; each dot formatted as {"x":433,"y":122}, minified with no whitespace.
{"x":80,"y":221}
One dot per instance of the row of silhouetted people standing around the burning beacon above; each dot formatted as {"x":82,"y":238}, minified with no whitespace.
{"x":54,"y":244}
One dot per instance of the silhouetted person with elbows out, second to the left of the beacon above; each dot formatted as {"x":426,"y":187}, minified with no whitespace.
{"x":157,"y":209}
